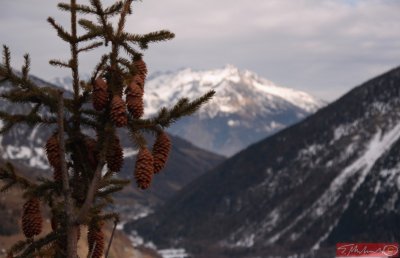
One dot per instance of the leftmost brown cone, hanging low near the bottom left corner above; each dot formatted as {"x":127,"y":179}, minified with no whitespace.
{"x":32,"y":218}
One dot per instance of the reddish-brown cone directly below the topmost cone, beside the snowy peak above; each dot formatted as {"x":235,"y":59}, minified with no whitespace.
{"x":134,"y":100}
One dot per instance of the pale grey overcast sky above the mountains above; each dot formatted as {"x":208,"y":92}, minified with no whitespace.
{"x":324,"y":47}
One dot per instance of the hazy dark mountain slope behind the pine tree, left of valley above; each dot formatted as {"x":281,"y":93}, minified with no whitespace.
{"x":24,"y":145}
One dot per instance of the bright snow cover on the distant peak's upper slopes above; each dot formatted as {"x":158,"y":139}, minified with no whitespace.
{"x":235,"y":90}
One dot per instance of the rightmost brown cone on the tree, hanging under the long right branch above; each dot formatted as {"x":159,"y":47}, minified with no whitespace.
{"x":161,"y":149}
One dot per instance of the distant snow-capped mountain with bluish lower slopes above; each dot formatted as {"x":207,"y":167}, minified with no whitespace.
{"x":245,"y":109}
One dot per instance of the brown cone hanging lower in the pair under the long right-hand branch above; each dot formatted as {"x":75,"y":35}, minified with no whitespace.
{"x":144,"y":168}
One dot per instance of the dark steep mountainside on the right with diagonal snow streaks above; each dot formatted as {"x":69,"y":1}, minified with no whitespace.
{"x":333,"y":177}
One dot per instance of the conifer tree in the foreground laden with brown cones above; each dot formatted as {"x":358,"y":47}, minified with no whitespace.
{"x":79,"y":190}
